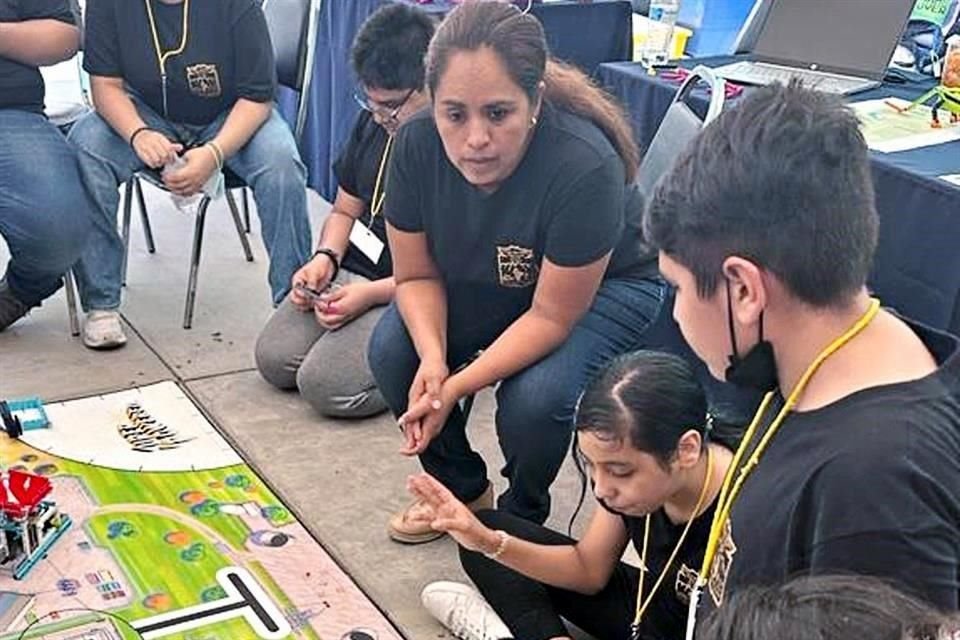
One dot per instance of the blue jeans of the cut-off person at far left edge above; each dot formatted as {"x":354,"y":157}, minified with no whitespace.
{"x":44,"y":211}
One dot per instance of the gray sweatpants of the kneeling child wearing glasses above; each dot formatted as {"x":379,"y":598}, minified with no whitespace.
{"x":328,"y":367}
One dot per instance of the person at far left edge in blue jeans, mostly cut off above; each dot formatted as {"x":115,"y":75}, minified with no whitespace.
{"x":44,"y":212}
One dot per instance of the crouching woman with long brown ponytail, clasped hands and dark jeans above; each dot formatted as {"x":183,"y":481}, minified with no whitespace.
{"x":515,"y":233}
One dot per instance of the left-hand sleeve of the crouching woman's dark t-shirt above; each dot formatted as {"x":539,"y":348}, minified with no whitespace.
{"x":404,"y":206}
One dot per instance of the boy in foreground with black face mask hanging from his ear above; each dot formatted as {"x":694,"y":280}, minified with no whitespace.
{"x":766,"y":226}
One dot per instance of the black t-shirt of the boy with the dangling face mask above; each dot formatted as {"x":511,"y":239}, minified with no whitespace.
{"x":869,"y":484}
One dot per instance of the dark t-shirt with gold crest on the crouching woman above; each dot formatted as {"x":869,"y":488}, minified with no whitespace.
{"x":566,"y":201}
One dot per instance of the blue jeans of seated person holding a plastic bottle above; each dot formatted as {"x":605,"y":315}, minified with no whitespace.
{"x":269,"y":163}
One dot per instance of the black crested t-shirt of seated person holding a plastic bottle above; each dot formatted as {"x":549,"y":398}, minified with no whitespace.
{"x":227,"y":56}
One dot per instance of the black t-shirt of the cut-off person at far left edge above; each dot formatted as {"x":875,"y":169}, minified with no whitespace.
{"x":21,"y":86}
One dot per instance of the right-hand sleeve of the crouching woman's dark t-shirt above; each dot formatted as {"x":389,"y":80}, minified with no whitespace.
{"x":587,"y":218}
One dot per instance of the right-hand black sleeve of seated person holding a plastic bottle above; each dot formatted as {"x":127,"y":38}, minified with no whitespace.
{"x":256,"y":71}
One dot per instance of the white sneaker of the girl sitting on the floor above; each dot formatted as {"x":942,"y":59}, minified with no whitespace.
{"x":462,"y":610}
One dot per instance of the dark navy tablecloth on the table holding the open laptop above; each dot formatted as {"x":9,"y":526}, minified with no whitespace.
{"x":917,"y":267}
